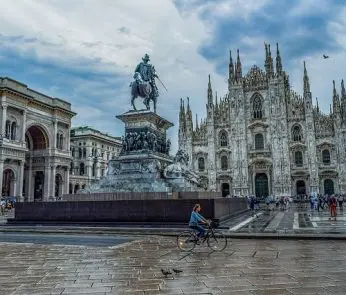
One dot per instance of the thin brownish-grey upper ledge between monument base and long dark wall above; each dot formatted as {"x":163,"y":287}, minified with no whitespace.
{"x":140,"y":196}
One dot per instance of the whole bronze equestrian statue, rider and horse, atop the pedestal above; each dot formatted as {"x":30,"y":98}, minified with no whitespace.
{"x":144,"y":84}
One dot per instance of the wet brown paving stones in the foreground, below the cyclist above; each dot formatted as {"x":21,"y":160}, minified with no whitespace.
{"x":246,"y":267}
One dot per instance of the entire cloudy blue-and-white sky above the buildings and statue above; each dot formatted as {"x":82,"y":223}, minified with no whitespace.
{"x":86,"y":53}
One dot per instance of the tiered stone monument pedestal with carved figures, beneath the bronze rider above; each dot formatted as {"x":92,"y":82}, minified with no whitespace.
{"x":144,"y":164}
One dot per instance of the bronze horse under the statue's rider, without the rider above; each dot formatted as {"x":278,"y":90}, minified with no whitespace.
{"x":144,"y":89}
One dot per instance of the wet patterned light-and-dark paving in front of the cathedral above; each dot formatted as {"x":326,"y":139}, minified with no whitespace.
{"x":298,"y":218}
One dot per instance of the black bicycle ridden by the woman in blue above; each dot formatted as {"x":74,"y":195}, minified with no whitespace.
{"x":188,"y":239}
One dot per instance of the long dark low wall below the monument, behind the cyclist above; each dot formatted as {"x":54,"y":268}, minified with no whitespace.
{"x":150,"y":211}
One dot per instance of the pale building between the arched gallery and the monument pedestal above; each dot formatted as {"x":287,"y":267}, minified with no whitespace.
{"x":91,"y":150}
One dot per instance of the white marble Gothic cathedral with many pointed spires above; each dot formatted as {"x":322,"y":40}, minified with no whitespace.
{"x":264,"y":139}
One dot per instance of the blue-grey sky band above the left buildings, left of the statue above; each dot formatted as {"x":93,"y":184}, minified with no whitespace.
{"x":78,"y":85}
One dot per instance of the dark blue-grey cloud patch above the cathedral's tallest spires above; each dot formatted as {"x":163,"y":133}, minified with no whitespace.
{"x":299,"y":35}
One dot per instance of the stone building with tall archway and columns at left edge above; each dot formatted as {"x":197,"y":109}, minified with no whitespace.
{"x":34,"y":143}
